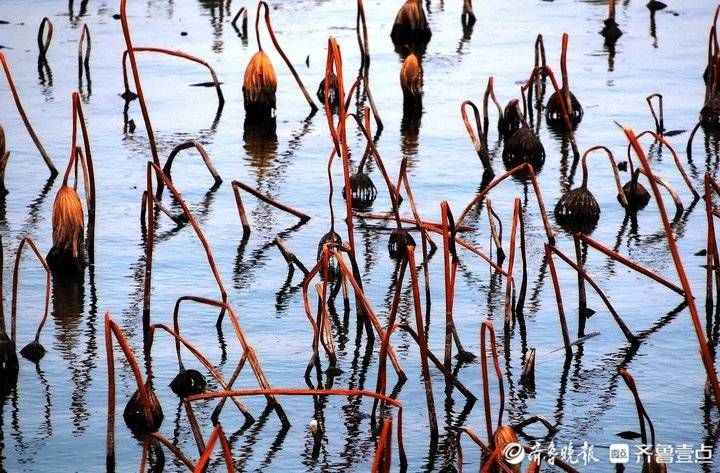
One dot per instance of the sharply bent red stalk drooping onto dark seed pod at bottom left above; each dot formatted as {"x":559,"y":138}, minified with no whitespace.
{"x":111,"y":328}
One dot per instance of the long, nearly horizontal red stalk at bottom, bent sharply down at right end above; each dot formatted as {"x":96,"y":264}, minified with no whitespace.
{"x":316,"y":392}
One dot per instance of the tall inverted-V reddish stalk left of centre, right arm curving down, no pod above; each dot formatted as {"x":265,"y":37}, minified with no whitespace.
{"x":149,"y":244}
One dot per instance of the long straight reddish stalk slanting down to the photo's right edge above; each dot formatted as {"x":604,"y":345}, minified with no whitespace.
{"x":705,"y":352}
